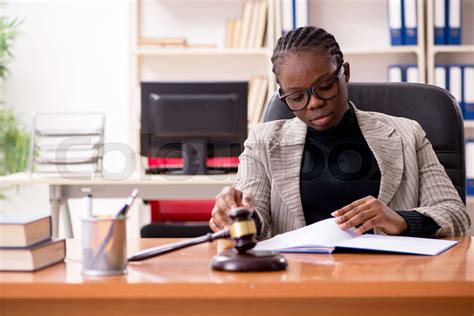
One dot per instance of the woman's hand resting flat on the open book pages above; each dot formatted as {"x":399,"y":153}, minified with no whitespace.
{"x":369,"y":213}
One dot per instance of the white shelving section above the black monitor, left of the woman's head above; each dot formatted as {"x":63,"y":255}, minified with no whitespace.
{"x":200,"y":22}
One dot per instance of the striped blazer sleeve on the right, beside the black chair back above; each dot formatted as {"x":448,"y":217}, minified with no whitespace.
{"x":438,"y":198}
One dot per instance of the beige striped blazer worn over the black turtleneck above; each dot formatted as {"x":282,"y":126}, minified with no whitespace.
{"x":412,"y":177}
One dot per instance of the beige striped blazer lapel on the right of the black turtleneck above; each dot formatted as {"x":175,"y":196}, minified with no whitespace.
{"x":386,"y":146}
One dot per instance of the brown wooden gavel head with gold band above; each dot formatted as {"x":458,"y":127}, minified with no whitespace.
{"x":242,"y":230}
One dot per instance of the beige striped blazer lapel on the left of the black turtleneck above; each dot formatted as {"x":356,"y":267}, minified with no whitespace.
{"x":285,"y":154}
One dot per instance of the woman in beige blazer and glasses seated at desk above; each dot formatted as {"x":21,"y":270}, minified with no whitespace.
{"x":334,"y":160}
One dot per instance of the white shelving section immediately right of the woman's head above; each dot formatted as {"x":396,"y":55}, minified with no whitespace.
{"x":361,"y":29}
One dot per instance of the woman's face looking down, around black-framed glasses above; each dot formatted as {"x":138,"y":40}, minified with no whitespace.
{"x":301,"y":70}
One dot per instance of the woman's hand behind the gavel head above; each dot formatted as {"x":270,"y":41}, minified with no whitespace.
{"x":226,"y":200}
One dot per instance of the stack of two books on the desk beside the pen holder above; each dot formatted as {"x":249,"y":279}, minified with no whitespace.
{"x":26,"y":244}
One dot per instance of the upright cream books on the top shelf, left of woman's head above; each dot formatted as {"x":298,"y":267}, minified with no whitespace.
{"x":249,"y":30}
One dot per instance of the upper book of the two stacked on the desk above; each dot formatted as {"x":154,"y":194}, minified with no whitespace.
{"x":23,"y":230}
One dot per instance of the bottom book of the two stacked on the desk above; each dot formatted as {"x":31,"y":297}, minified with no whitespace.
{"x":33,"y":258}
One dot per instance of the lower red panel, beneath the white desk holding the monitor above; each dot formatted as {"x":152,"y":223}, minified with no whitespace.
{"x":181,"y":211}
